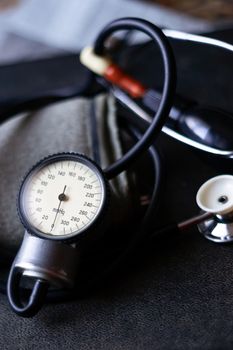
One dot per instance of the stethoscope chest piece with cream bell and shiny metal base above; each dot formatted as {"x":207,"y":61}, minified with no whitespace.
{"x":216,"y":197}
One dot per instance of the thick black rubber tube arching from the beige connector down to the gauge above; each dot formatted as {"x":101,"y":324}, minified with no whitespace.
{"x":168,"y":88}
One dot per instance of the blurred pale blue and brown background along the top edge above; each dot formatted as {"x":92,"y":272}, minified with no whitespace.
{"x":32,"y":29}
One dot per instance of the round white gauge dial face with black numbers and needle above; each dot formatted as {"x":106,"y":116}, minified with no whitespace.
{"x":62,"y":196}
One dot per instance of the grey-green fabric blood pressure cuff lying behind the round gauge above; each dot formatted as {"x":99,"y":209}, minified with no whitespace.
{"x":82,"y":125}
